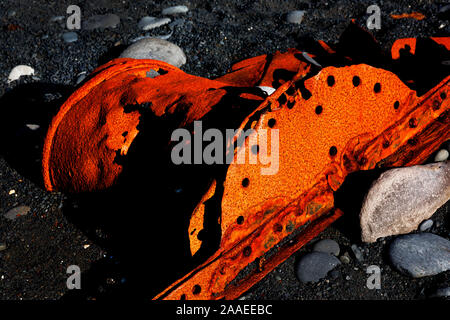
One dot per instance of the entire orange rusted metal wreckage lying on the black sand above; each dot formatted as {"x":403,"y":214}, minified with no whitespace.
{"x":344,"y":116}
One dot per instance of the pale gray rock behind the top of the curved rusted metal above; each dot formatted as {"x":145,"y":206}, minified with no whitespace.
{"x":157,"y":49}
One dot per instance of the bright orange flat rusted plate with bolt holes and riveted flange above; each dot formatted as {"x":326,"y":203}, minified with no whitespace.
{"x":339,"y":121}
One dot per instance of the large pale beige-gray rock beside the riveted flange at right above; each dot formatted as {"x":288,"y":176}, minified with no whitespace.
{"x":402,"y":198}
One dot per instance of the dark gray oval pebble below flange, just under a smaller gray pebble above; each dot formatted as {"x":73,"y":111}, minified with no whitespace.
{"x":314,"y":266}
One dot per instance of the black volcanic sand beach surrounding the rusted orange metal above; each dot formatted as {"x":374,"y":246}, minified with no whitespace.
{"x":111,"y":241}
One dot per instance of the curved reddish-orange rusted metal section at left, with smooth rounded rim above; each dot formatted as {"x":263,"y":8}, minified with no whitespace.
{"x":93,"y":125}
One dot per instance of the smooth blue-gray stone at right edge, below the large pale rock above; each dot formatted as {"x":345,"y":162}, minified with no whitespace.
{"x":420,"y":255}
